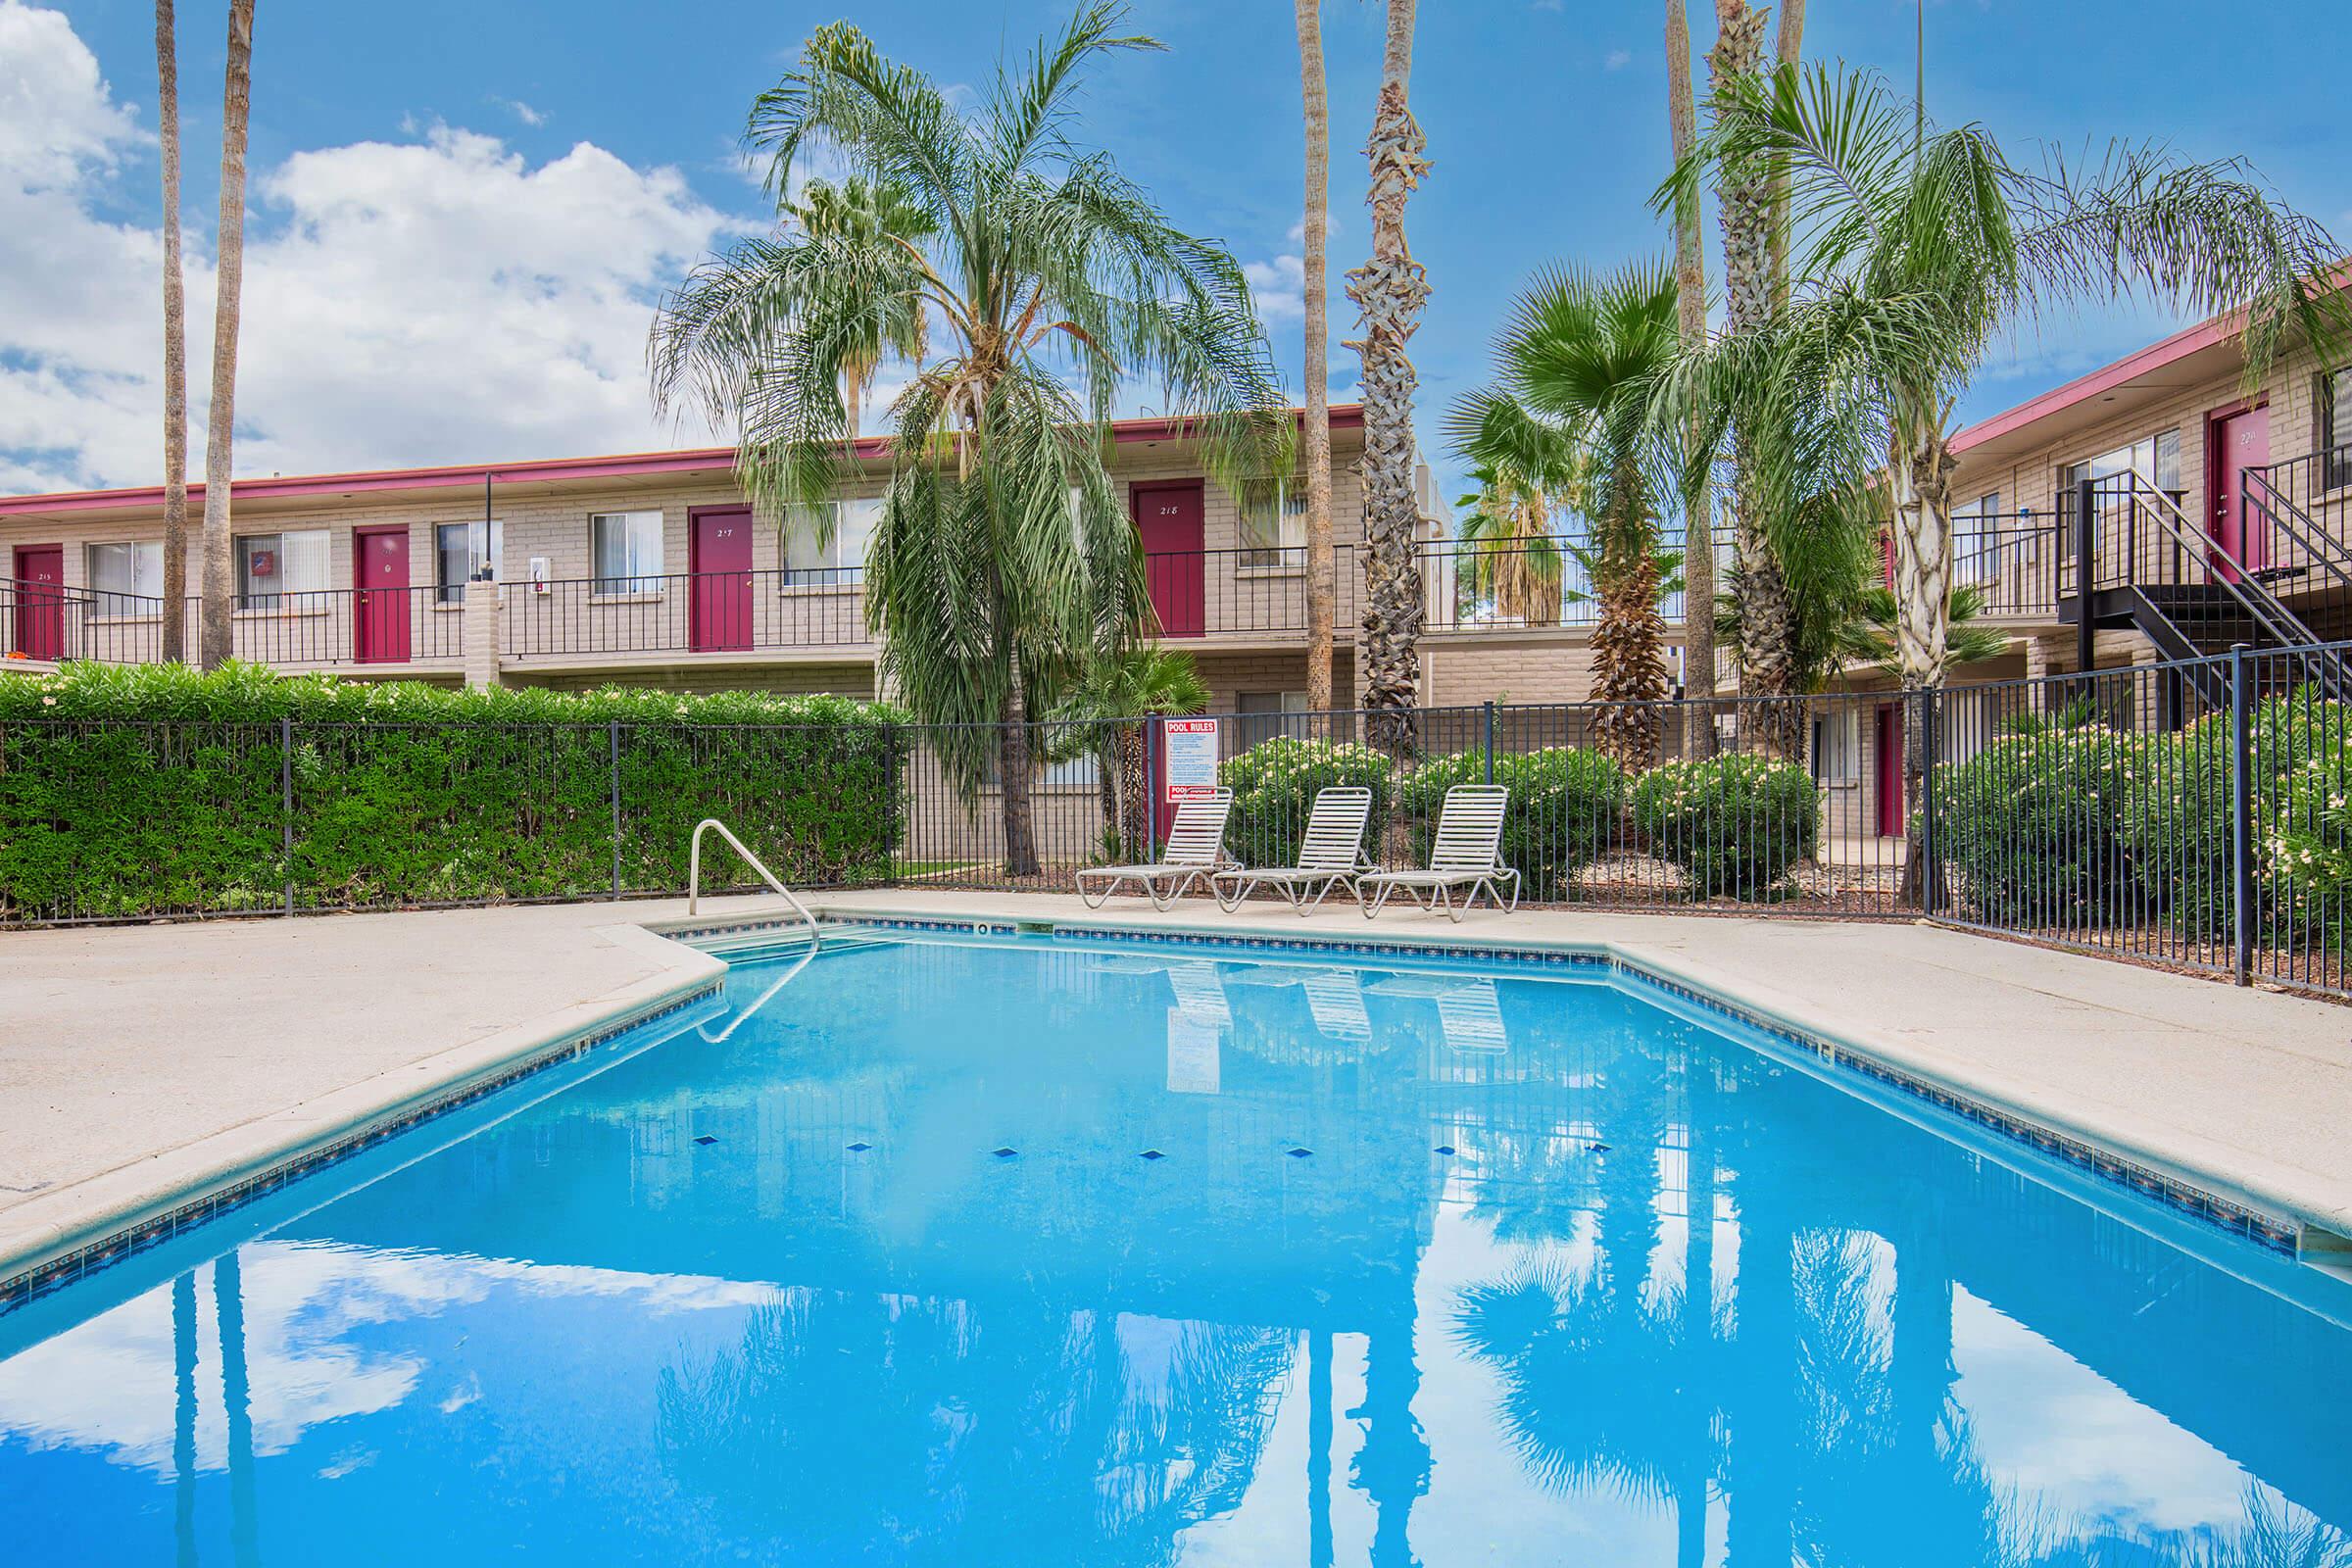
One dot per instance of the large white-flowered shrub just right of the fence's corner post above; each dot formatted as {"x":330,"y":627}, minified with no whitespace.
{"x":2029,"y":826}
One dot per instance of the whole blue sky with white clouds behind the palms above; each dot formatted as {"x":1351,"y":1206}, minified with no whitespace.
{"x":462,"y":210}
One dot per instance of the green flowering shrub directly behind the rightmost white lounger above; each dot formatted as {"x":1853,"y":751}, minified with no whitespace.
{"x":1565,"y":810}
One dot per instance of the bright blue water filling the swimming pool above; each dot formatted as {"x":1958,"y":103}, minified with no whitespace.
{"x":886,"y":1271}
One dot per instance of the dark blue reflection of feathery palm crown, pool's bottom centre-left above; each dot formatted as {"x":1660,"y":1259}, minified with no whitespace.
{"x":918,"y":1430}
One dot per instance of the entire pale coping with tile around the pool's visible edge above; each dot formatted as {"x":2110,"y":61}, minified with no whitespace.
{"x":128,"y":1209}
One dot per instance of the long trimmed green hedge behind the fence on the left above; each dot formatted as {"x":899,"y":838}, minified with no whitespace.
{"x":142,"y":791}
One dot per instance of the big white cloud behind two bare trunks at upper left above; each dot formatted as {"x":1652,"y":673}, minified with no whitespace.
{"x":436,"y":300}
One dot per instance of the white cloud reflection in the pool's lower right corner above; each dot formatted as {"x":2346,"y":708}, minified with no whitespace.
{"x":2064,"y":1435}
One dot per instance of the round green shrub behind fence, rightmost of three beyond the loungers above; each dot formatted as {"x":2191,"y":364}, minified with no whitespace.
{"x":1737,"y":826}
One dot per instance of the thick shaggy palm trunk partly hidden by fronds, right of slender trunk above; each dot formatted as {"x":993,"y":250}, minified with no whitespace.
{"x":1768,"y":626}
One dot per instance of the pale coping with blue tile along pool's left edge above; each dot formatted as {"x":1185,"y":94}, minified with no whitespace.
{"x":55,"y":1238}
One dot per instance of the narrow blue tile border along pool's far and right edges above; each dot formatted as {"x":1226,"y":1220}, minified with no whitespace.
{"x":2177,"y":1195}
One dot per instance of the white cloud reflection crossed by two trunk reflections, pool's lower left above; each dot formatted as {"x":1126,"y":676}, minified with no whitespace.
{"x":109,"y":1386}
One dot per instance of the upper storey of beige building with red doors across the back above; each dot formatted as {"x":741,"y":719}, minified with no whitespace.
{"x":653,"y":570}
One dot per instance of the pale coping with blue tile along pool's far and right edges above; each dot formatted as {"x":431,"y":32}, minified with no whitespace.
{"x":2236,"y":1202}
